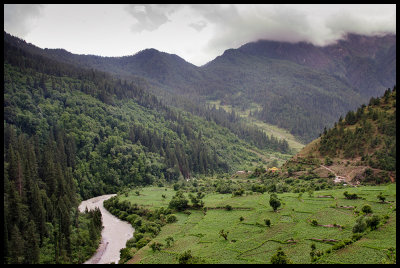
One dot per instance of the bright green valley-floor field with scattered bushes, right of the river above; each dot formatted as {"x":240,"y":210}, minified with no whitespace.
{"x":231,"y":228}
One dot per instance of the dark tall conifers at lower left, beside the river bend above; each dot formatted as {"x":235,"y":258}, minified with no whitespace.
{"x":40,"y":224}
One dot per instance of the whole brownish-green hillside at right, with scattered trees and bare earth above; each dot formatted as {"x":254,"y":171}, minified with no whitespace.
{"x":361,"y":147}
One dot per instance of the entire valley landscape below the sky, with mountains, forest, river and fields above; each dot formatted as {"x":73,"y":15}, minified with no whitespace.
{"x":238,"y":161}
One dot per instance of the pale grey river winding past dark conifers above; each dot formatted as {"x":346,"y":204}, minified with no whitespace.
{"x":114,"y":234}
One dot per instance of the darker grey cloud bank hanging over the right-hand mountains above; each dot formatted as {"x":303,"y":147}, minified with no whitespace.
{"x":318,"y":24}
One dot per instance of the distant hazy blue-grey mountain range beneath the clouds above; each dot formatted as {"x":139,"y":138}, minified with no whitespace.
{"x":299,"y":87}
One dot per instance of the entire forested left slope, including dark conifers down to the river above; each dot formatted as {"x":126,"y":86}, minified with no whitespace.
{"x":72,"y":133}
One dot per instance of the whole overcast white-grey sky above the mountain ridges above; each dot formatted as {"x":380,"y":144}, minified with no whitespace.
{"x":196,"y":32}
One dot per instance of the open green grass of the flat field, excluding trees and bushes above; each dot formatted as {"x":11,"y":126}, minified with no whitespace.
{"x":250,"y":241}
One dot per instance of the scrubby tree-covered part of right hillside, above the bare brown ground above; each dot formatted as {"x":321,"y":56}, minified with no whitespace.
{"x":369,"y":133}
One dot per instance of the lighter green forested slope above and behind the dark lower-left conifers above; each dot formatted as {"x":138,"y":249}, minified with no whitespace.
{"x":140,"y":139}
